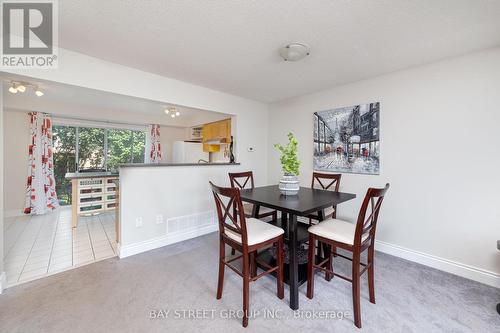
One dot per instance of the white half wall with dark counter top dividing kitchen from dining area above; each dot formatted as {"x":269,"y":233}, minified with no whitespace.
{"x":165,"y":203}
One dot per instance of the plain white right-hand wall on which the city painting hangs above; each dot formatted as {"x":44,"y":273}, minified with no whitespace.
{"x":440,"y":150}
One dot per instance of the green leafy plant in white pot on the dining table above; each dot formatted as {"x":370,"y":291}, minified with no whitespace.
{"x":289,"y":183}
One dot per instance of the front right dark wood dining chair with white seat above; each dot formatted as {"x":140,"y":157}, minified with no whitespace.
{"x":355,"y":238}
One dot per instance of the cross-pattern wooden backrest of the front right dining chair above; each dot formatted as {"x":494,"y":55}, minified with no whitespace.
{"x":366,"y":226}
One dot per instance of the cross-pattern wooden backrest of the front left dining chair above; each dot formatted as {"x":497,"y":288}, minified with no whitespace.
{"x":230,"y":211}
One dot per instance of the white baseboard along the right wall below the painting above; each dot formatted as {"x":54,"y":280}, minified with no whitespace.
{"x":453,"y":267}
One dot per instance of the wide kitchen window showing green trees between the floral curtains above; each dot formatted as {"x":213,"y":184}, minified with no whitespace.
{"x":92,"y":148}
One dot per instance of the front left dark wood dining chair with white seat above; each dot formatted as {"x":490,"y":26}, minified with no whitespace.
{"x":247,"y":235}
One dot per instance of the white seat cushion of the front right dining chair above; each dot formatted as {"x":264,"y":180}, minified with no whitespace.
{"x":336,"y":230}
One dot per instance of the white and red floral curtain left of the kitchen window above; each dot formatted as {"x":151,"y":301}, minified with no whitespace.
{"x":40,"y":191}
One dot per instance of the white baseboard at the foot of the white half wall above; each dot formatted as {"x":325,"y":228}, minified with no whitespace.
{"x":129,"y":250}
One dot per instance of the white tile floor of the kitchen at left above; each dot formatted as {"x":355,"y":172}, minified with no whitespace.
{"x":37,"y":246}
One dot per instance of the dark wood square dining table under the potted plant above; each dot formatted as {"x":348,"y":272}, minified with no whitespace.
{"x":306,"y":202}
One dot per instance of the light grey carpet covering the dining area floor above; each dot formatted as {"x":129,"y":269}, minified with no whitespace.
{"x":118,"y":296}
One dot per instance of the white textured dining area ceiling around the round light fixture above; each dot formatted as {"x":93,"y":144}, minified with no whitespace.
{"x":232,"y":45}
